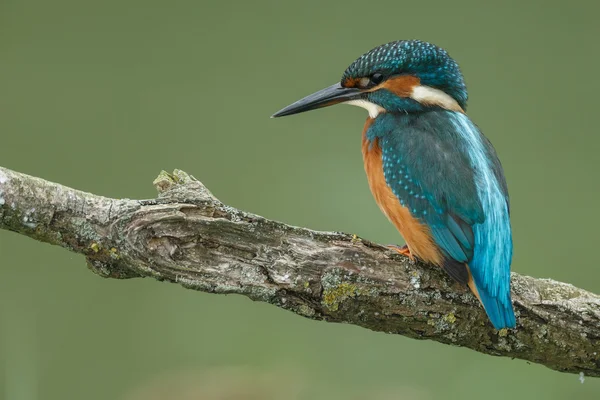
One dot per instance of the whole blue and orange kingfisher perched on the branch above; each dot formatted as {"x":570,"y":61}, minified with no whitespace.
{"x":432,"y":172}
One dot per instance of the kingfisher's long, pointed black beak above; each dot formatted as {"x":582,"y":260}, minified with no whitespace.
{"x":334,"y":94}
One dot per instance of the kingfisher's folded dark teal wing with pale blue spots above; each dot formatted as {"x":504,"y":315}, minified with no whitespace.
{"x":432,"y":176}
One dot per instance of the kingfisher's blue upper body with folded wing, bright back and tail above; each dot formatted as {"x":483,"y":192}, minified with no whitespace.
{"x":442,"y":168}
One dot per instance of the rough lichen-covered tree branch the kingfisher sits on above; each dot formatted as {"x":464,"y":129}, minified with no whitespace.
{"x":189,"y":237}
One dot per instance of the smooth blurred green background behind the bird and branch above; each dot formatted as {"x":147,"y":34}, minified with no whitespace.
{"x":102,"y":95}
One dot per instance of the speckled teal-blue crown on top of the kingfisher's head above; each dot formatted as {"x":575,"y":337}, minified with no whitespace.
{"x":431,"y":64}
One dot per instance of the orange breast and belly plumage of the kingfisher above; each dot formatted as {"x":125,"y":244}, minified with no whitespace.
{"x":416,"y":234}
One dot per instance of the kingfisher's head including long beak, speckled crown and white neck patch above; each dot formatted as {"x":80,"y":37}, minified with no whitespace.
{"x":402,"y":76}
